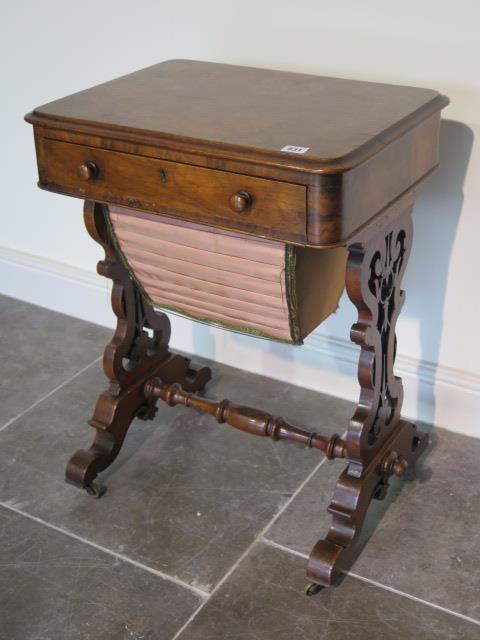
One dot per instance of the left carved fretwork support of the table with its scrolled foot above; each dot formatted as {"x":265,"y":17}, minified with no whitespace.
{"x":138,"y":350}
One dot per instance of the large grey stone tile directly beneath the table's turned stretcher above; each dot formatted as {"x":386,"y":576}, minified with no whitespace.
{"x":186,"y":496}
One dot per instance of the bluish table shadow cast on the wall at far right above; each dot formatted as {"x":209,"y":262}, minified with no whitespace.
{"x":435,"y":217}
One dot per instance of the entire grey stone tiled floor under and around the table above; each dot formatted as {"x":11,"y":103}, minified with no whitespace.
{"x":204,"y":531}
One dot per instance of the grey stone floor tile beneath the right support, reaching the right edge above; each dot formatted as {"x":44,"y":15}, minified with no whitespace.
{"x":423,"y":539}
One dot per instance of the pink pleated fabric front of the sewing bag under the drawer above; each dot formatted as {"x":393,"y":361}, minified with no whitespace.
{"x":209,"y":274}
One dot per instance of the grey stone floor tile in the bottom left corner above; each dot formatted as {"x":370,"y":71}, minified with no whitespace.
{"x":54,"y":587}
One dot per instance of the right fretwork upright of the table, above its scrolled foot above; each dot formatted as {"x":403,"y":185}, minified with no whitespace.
{"x":374,"y":273}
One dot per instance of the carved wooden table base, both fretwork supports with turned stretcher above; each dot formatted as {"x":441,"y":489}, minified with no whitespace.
{"x":141,"y":370}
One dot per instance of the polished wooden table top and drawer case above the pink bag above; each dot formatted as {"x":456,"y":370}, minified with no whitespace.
{"x":241,"y":120}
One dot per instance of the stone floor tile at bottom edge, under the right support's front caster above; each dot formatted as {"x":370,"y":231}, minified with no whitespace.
{"x":262,"y":600}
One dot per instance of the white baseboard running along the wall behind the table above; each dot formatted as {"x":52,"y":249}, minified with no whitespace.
{"x":434,"y":393}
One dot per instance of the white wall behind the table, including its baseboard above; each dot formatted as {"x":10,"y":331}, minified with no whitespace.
{"x":52,"y":48}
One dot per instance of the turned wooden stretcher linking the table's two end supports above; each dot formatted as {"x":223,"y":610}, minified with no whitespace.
{"x":248,"y":419}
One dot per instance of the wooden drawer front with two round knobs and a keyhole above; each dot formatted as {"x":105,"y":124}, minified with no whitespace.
{"x":255,"y":205}
